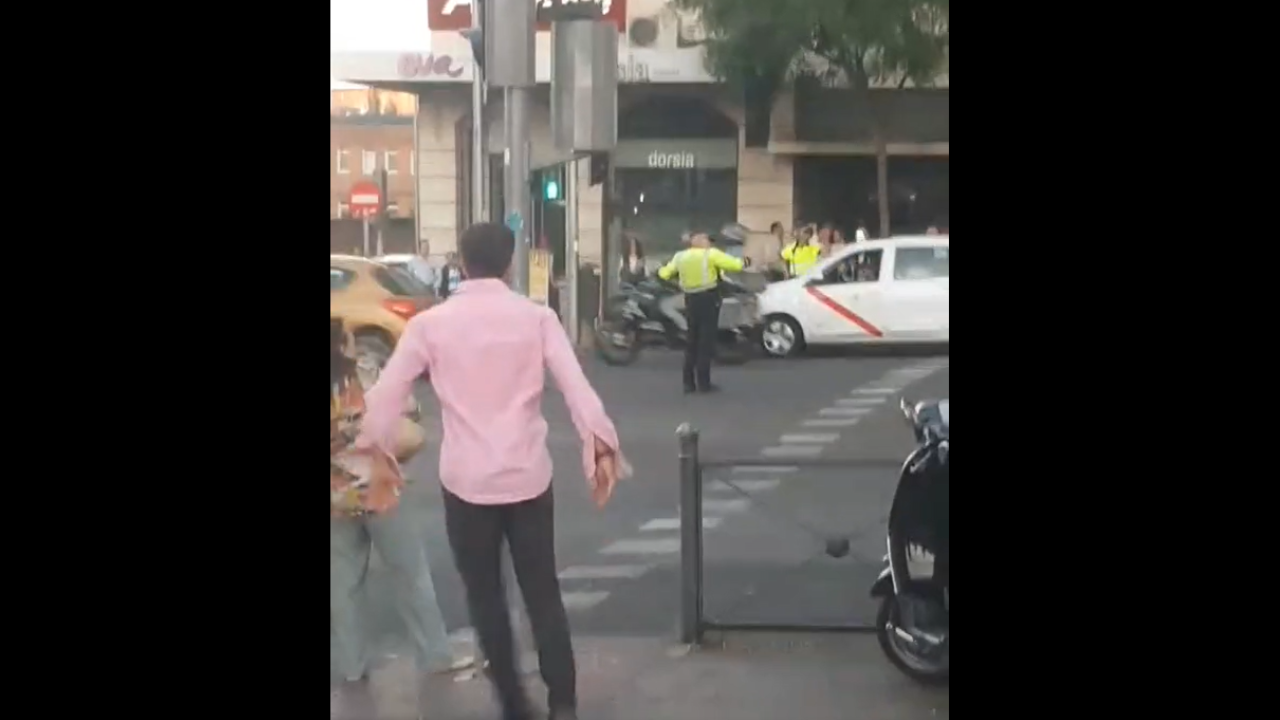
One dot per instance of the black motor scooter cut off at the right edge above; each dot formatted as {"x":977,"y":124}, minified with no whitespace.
{"x":913,"y":623}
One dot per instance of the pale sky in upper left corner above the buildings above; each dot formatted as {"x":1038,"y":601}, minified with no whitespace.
{"x":377,"y":25}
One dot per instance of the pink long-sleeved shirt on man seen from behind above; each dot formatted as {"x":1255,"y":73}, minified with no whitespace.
{"x":486,"y":350}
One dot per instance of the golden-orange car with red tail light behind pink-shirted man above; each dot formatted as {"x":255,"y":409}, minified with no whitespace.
{"x":376,"y":303}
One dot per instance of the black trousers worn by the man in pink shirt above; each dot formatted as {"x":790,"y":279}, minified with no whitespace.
{"x":477,"y":534}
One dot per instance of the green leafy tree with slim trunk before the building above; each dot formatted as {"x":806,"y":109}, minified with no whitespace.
{"x":764,"y":45}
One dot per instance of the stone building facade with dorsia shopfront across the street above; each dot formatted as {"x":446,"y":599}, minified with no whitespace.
{"x":683,"y":158}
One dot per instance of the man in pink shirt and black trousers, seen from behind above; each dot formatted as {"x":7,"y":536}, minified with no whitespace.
{"x":486,"y":353}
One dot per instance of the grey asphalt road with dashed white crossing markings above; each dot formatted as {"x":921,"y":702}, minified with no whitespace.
{"x":620,"y":564}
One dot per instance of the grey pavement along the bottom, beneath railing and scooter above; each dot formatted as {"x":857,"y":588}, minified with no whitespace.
{"x":748,"y":677}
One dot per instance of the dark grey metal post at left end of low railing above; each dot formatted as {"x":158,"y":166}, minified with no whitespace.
{"x":691,"y":537}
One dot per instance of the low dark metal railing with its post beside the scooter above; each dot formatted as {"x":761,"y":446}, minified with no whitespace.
{"x":694,"y":621}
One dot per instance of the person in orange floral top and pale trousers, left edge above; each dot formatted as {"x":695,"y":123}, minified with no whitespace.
{"x":365,"y":514}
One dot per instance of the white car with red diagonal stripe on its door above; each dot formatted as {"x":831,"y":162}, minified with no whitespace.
{"x":880,"y":291}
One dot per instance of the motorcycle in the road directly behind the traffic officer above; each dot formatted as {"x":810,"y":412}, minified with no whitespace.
{"x":653,"y":312}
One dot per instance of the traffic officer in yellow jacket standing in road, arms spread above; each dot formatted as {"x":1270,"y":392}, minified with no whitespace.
{"x":700,"y":270}
